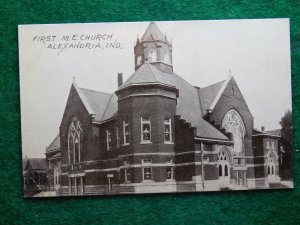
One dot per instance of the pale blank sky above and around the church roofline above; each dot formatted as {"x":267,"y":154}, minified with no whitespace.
{"x":257,"y":52}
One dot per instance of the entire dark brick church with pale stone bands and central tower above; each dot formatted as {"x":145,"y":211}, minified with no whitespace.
{"x":159,"y":133}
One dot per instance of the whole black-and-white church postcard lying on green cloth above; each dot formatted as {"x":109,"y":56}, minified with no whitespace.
{"x":155,"y":107}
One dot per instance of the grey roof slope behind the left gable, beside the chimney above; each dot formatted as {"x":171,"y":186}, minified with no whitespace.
{"x":100,"y":104}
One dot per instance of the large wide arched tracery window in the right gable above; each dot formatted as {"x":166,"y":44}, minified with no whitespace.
{"x":233,"y":123}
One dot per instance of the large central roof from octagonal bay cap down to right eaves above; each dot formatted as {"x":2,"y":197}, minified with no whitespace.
{"x":188,"y":102}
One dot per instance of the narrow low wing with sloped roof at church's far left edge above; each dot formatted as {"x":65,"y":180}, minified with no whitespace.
{"x":53,"y":161}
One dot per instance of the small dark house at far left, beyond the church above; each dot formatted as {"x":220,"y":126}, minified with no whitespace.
{"x":34,"y":174}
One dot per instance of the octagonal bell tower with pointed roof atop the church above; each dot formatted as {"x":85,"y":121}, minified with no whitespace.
{"x":154,"y":48}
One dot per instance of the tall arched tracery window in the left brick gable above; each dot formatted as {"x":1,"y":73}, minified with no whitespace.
{"x":75,"y":138}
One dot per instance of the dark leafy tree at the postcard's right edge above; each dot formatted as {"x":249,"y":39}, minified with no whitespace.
{"x":286,"y":165}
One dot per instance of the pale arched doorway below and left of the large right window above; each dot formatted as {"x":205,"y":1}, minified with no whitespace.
{"x":224,"y":168}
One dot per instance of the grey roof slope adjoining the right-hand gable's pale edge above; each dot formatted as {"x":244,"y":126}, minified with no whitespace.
{"x":208,"y":95}
